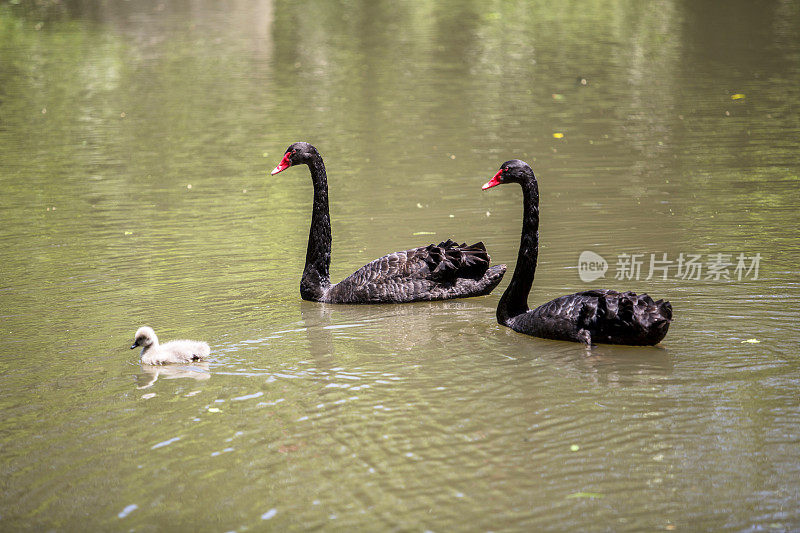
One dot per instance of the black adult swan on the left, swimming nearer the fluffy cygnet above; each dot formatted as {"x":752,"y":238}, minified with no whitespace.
{"x":434,"y":272}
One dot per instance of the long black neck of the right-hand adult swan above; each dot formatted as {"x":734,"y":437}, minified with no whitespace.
{"x":515,"y":300}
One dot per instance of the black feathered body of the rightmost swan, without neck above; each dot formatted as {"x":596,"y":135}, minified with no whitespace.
{"x":599,"y":316}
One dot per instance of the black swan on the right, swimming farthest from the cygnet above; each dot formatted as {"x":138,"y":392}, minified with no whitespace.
{"x":596,"y":316}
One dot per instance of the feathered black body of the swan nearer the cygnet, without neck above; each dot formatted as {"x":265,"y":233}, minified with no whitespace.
{"x":434,"y":272}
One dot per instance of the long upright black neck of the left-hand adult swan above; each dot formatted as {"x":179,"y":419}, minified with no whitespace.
{"x":316,"y":277}
